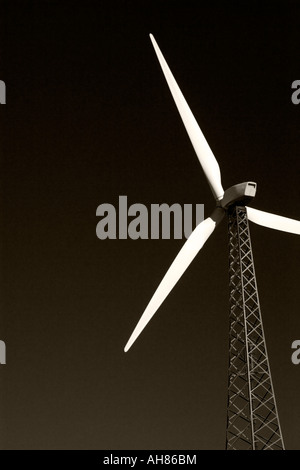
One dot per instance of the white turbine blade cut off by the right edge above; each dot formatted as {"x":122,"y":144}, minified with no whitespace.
{"x":276,"y":222}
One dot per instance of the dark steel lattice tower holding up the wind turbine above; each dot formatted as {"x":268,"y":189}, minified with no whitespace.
{"x":252,"y":417}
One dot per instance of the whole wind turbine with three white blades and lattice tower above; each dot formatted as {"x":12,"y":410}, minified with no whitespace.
{"x":252,"y":417}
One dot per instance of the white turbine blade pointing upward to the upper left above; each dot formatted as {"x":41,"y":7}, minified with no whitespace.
{"x":207,"y":159}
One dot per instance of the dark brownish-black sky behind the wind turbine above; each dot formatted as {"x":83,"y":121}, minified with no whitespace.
{"x":89,"y":117}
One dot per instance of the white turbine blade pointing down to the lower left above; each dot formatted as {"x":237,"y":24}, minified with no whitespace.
{"x":185,"y":256}
